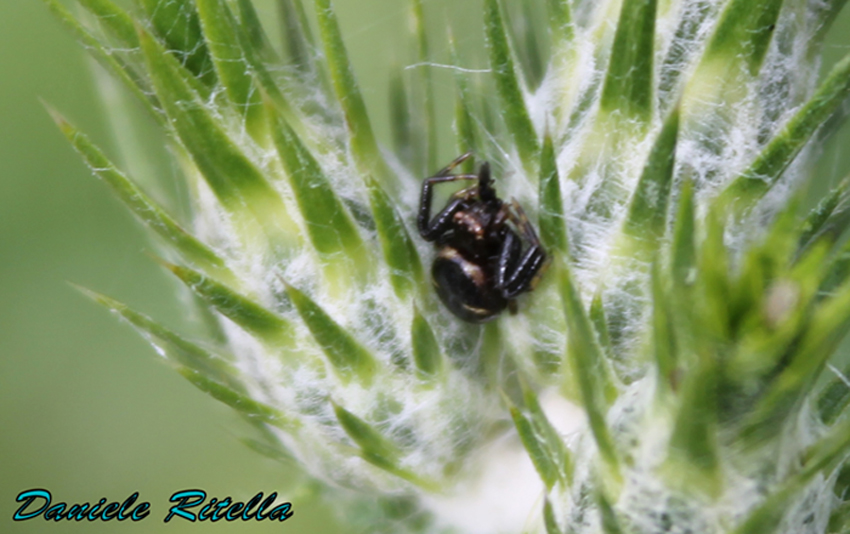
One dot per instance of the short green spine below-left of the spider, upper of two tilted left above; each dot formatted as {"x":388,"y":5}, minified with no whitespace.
{"x":345,"y":354}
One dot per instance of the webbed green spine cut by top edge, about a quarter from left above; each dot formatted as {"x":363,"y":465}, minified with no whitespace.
{"x":220,"y":34}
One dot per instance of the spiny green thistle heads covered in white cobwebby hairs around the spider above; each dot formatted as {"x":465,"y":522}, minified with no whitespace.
{"x":672,"y":371}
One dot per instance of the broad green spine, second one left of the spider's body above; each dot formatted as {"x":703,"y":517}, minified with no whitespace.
{"x":330,"y":227}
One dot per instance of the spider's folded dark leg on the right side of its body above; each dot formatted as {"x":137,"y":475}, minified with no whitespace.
{"x":518,"y":272}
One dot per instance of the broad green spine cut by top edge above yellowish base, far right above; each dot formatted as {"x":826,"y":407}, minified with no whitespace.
{"x":744,"y":33}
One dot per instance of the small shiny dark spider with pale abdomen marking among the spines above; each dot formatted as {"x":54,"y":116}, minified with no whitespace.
{"x":480,"y":266}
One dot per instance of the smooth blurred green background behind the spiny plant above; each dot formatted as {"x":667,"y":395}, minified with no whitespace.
{"x":87,"y":409}
